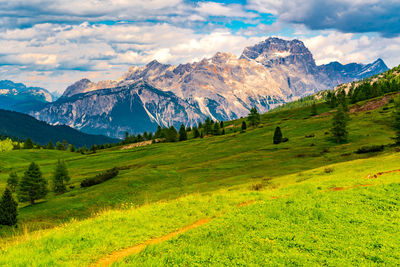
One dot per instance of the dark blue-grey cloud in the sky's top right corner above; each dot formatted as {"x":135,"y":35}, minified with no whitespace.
{"x":349,"y":16}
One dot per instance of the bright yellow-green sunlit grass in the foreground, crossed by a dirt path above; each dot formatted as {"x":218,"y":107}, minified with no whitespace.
{"x":301,"y":221}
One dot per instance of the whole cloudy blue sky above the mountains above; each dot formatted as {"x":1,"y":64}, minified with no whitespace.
{"x":53,"y":43}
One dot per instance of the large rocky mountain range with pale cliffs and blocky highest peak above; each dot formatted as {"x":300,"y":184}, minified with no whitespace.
{"x":222,"y":87}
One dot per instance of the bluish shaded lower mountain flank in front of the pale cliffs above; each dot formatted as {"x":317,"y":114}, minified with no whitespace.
{"x":136,"y":107}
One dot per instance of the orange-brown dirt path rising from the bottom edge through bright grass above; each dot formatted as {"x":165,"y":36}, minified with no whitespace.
{"x":119,"y":255}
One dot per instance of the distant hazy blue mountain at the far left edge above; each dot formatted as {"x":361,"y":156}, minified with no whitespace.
{"x":19,"y":97}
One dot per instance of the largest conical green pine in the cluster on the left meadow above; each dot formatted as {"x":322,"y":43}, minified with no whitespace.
{"x":32,"y":185}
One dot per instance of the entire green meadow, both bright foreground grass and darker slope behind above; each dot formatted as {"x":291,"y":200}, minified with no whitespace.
{"x":314,"y":200}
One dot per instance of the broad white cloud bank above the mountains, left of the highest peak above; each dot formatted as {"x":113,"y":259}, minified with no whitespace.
{"x":109,"y":49}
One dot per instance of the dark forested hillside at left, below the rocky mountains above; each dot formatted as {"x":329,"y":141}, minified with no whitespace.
{"x":21,"y":126}
